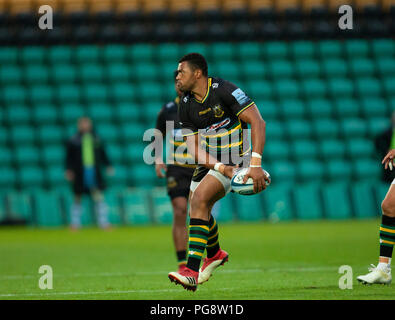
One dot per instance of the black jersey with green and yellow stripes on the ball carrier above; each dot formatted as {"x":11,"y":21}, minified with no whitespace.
{"x":216,"y":119}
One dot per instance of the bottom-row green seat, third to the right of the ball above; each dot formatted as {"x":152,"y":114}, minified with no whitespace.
{"x":341,"y":208}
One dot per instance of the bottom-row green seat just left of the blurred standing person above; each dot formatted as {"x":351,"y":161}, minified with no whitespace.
{"x":48,"y":208}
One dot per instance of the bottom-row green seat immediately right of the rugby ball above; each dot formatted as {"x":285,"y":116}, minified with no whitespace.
{"x":278,"y":203}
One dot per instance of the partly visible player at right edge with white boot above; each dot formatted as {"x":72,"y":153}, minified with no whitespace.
{"x":382,"y":273}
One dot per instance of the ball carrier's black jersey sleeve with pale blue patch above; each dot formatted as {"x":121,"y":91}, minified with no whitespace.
{"x":234,"y":97}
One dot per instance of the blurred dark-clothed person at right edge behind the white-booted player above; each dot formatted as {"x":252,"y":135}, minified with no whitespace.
{"x":385,"y":142}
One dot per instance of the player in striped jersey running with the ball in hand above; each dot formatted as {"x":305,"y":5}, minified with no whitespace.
{"x":213,"y":113}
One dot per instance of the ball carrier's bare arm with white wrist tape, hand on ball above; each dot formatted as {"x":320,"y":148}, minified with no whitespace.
{"x":258,"y":136}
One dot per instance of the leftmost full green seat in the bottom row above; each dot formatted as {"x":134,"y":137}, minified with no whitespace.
{"x":20,"y":205}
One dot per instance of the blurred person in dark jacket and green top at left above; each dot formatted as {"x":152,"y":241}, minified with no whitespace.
{"x":85,"y":158}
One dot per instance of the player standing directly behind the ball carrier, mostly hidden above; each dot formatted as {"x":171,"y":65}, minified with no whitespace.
{"x":178,"y":175}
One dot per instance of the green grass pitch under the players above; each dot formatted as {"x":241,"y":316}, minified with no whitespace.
{"x":297,"y":260}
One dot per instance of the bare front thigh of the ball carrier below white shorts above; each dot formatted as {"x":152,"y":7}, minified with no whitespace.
{"x":209,"y":190}
